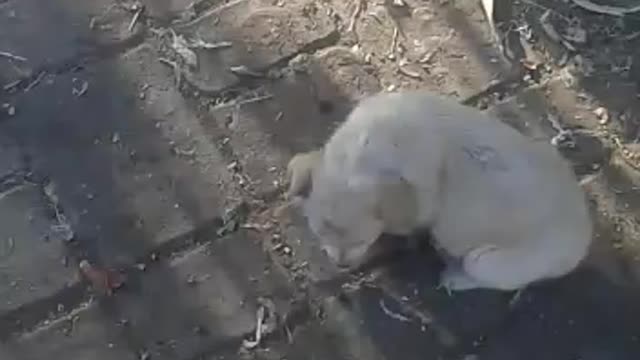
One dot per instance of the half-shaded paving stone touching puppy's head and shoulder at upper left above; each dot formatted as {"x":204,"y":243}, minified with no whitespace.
{"x":306,"y":104}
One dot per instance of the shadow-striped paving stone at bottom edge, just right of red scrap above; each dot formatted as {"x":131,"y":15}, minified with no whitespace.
{"x":198,"y":302}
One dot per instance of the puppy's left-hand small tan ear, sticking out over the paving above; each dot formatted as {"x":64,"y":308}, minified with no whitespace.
{"x":300,"y":172}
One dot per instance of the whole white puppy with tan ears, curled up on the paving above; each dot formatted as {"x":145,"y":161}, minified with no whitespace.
{"x":506,"y":209}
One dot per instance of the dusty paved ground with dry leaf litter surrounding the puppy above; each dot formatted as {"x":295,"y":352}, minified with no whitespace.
{"x":149,"y":139}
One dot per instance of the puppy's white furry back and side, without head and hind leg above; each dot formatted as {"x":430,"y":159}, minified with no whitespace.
{"x":496,"y":179}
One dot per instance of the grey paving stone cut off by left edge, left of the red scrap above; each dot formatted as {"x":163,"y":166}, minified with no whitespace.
{"x":31,"y":260}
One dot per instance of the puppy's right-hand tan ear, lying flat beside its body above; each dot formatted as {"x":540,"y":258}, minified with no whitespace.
{"x":396,"y":203}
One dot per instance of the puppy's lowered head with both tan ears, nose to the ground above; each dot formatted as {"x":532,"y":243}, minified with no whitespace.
{"x":348,"y":215}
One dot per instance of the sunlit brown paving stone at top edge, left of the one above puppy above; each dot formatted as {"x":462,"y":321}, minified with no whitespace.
{"x":261,"y":37}
